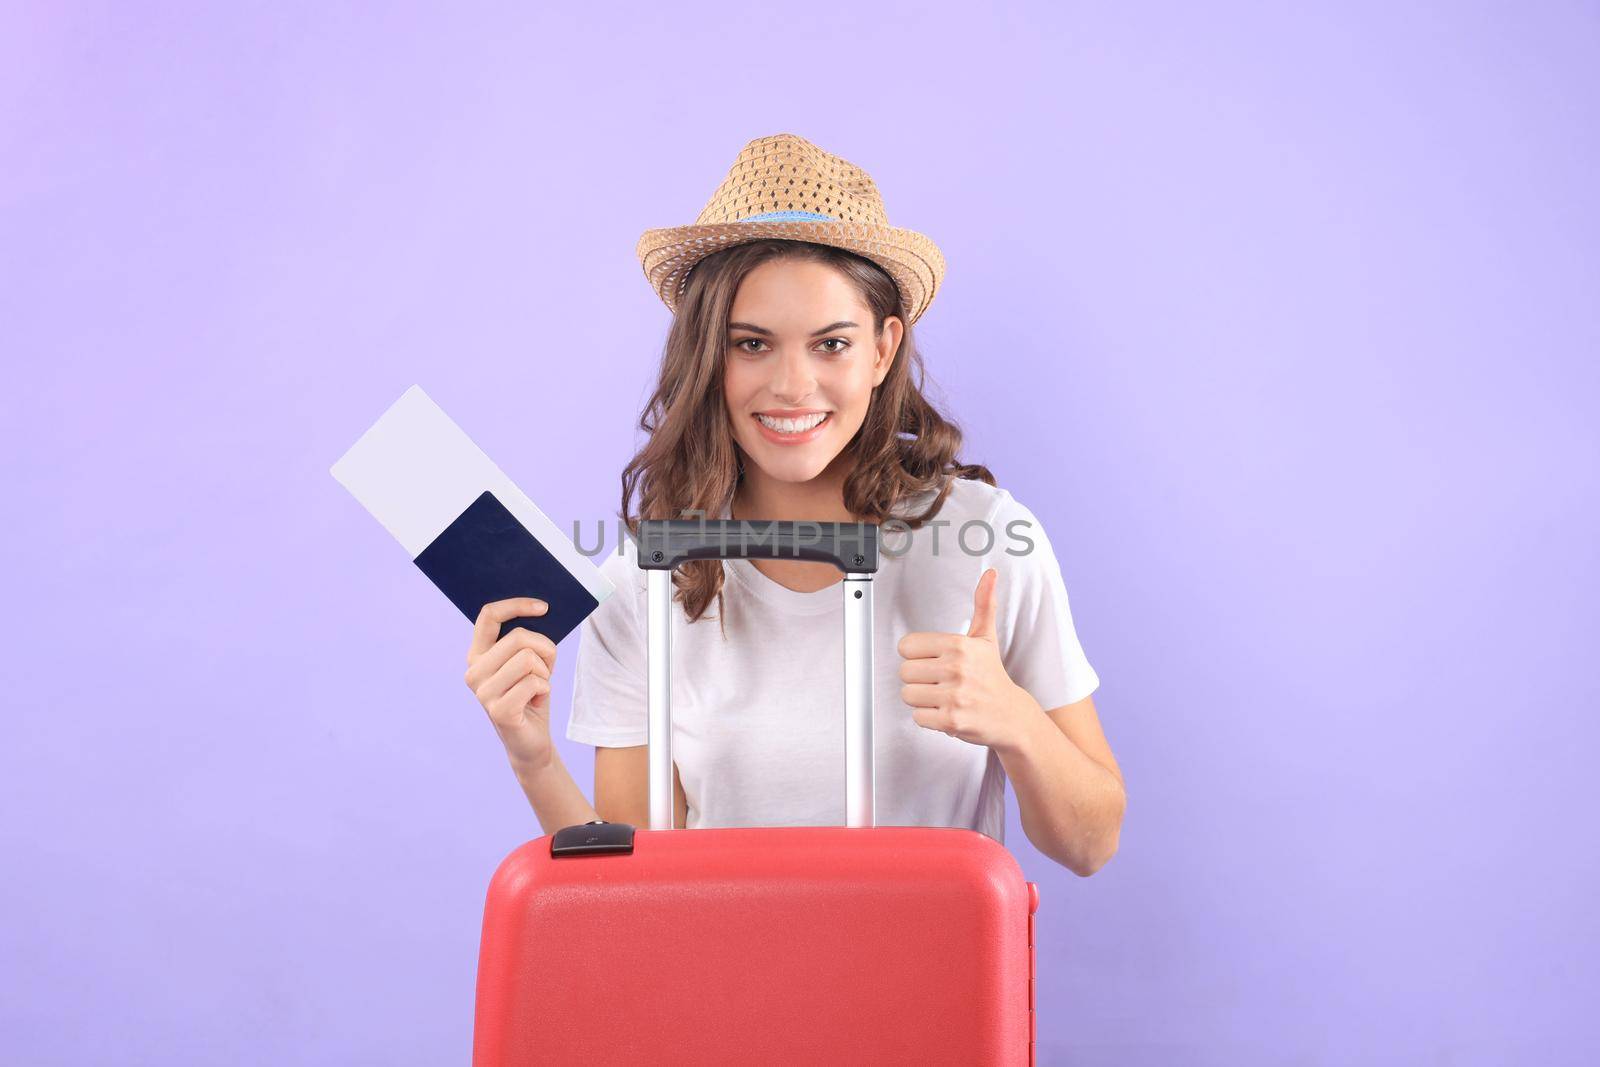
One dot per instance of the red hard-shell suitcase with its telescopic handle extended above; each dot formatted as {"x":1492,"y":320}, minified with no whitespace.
{"x":862,"y":945}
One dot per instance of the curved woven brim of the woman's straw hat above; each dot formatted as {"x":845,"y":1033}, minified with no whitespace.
{"x":911,"y":258}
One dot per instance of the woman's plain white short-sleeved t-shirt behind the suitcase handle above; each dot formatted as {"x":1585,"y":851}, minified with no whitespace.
{"x":758,"y":717}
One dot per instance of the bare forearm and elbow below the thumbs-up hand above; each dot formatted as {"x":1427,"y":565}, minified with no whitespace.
{"x":1068,"y":785}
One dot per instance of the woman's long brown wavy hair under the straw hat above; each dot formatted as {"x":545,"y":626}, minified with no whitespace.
{"x":692,"y":463}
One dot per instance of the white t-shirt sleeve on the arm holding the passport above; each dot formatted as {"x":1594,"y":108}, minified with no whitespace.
{"x":610,"y":690}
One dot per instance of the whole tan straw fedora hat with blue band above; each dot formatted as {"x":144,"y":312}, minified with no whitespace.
{"x":788,"y":188}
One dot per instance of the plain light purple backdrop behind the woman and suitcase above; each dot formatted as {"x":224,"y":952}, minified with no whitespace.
{"x":1286,"y":326}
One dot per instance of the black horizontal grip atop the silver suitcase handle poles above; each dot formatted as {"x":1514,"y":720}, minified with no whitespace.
{"x":666,"y":543}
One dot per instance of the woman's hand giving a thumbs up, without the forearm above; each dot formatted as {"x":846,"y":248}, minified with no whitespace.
{"x":958,"y":684}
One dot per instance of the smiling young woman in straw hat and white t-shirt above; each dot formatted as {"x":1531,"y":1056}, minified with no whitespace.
{"x":791,"y":390}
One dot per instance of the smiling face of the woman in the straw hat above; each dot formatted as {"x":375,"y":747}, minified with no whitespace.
{"x":801,"y":366}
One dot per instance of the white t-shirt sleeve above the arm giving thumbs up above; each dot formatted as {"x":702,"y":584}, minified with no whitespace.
{"x":1039,"y":644}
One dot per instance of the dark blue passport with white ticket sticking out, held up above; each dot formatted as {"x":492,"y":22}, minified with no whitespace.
{"x":463,"y":522}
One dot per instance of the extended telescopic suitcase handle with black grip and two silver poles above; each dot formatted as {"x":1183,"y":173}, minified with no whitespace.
{"x":852,"y":548}
